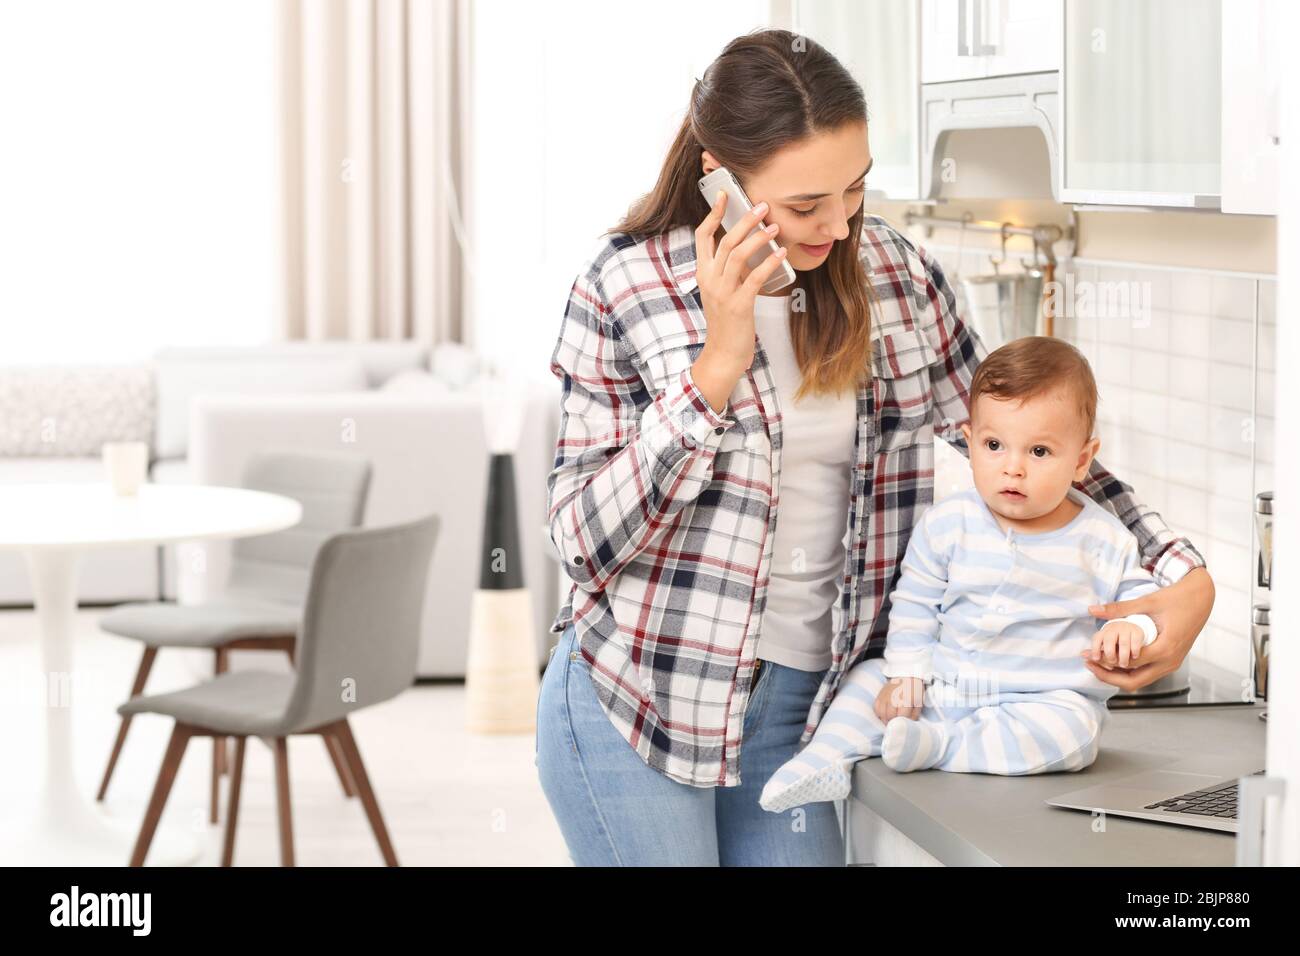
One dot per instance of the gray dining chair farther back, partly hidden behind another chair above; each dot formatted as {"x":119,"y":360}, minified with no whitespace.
{"x":262,"y":607}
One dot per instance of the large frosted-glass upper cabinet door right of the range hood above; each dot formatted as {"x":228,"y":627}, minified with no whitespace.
{"x":1141,"y":101}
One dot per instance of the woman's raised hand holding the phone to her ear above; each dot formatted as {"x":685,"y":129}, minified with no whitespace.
{"x":727,"y":285}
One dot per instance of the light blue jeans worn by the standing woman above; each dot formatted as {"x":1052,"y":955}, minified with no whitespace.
{"x":617,"y":811}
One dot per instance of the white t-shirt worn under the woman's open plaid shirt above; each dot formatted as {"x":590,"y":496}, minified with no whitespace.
{"x":813,"y":508}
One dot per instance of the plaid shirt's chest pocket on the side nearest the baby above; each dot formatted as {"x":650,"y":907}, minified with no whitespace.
{"x":904,"y":396}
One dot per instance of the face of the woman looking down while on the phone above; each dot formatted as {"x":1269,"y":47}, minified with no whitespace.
{"x":813,"y":189}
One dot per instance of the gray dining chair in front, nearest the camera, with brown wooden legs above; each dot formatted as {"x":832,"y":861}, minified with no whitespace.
{"x":358,"y":647}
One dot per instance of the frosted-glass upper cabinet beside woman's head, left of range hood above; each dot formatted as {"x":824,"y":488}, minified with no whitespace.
{"x":879,"y":44}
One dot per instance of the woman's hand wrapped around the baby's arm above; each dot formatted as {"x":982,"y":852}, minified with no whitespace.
{"x":1180,"y":612}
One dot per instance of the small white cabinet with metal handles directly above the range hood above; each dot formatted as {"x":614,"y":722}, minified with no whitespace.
{"x":973,"y":40}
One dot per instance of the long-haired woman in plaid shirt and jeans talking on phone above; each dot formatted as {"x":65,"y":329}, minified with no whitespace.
{"x":705,"y":635}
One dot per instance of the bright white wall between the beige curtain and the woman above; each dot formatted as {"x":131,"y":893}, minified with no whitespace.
{"x":575,"y":106}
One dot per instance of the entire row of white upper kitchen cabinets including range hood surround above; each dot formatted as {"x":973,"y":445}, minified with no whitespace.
{"x":1160,"y":103}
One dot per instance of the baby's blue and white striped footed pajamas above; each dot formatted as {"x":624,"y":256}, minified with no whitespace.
{"x":994,"y":622}
